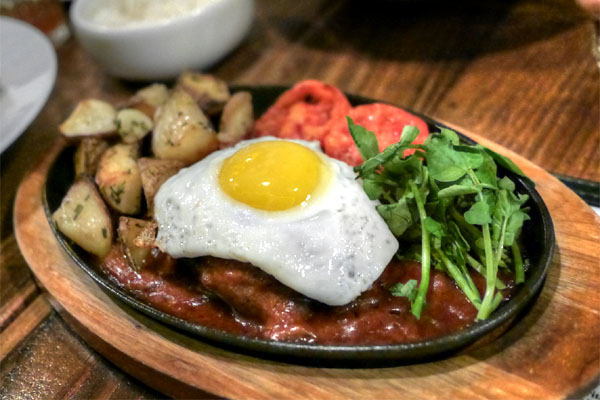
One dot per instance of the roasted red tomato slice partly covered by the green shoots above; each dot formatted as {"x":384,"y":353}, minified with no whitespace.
{"x":387,"y":122}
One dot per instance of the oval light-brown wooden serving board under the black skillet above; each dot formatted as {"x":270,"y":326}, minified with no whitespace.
{"x":553,"y":352}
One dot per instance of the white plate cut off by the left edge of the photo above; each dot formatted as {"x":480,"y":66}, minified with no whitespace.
{"x":27,"y":75}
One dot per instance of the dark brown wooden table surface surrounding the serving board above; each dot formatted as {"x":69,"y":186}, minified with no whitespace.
{"x":521,"y":73}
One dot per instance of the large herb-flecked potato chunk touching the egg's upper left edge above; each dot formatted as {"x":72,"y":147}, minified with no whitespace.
{"x":182,"y":131}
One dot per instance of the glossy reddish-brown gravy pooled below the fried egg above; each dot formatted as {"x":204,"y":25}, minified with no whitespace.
{"x":239,"y":298}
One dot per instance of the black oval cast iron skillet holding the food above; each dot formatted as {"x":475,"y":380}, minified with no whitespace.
{"x":538,"y":248}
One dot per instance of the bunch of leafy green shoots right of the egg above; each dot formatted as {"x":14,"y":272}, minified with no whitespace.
{"x":446,"y":204}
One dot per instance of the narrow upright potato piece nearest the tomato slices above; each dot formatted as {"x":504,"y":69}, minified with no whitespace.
{"x":236,"y":120}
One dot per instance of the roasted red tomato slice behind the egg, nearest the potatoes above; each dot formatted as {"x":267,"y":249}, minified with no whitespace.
{"x":306,"y":111}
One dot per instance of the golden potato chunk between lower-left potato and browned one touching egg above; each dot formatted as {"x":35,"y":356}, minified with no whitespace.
{"x":119,"y":180}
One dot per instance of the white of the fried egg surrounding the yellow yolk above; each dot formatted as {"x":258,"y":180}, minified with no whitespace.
{"x":331,"y":249}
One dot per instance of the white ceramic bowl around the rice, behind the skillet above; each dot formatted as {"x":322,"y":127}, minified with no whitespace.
{"x":161,"y":50}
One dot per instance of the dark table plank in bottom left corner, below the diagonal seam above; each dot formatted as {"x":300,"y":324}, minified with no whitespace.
{"x":55,"y":363}
